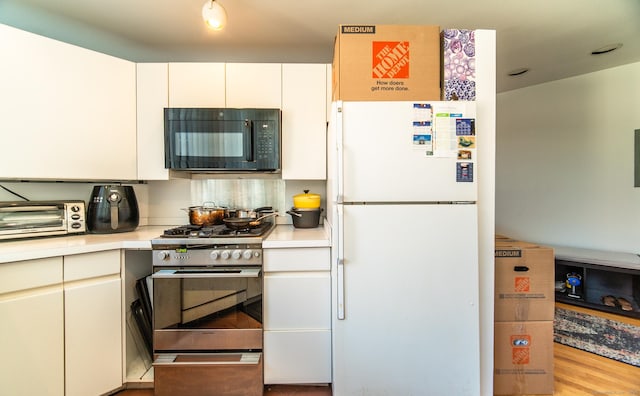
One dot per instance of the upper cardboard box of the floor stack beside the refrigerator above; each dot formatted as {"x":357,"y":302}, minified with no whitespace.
{"x":524,"y":282}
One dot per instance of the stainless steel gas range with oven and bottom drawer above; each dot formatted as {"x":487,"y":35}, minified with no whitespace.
{"x":207,"y":311}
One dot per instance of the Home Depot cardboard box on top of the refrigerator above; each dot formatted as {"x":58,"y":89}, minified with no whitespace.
{"x":386,"y":62}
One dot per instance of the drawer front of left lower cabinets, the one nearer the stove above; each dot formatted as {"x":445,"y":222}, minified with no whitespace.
{"x":91,"y":265}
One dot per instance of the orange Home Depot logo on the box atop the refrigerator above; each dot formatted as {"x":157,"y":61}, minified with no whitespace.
{"x":390,"y":59}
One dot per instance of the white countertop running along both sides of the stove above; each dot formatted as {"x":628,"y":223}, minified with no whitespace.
{"x":282,"y":236}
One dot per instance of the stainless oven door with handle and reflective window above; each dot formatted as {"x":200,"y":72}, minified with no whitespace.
{"x":207,"y":308}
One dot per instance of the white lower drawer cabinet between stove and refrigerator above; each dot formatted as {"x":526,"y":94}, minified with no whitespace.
{"x":297,"y":316}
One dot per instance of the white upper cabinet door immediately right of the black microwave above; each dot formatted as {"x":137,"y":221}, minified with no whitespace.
{"x":304,"y":121}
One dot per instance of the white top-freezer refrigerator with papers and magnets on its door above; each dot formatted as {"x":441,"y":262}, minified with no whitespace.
{"x":402,"y":195}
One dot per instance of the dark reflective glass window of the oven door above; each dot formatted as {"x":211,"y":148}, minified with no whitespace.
{"x":207,"y":299}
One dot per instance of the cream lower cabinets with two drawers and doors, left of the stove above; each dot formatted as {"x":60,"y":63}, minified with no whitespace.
{"x":61,"y":326}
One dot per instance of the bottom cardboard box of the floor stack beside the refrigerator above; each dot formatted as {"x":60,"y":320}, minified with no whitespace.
{"x":523,"y":358}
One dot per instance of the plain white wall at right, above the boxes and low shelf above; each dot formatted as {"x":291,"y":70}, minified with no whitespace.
{"x":565,"y":161}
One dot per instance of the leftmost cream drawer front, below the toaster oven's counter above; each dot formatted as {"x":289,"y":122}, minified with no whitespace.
{"x":21,"y":275}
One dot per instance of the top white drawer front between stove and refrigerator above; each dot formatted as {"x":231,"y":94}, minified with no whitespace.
{"x":297,"y":259}
